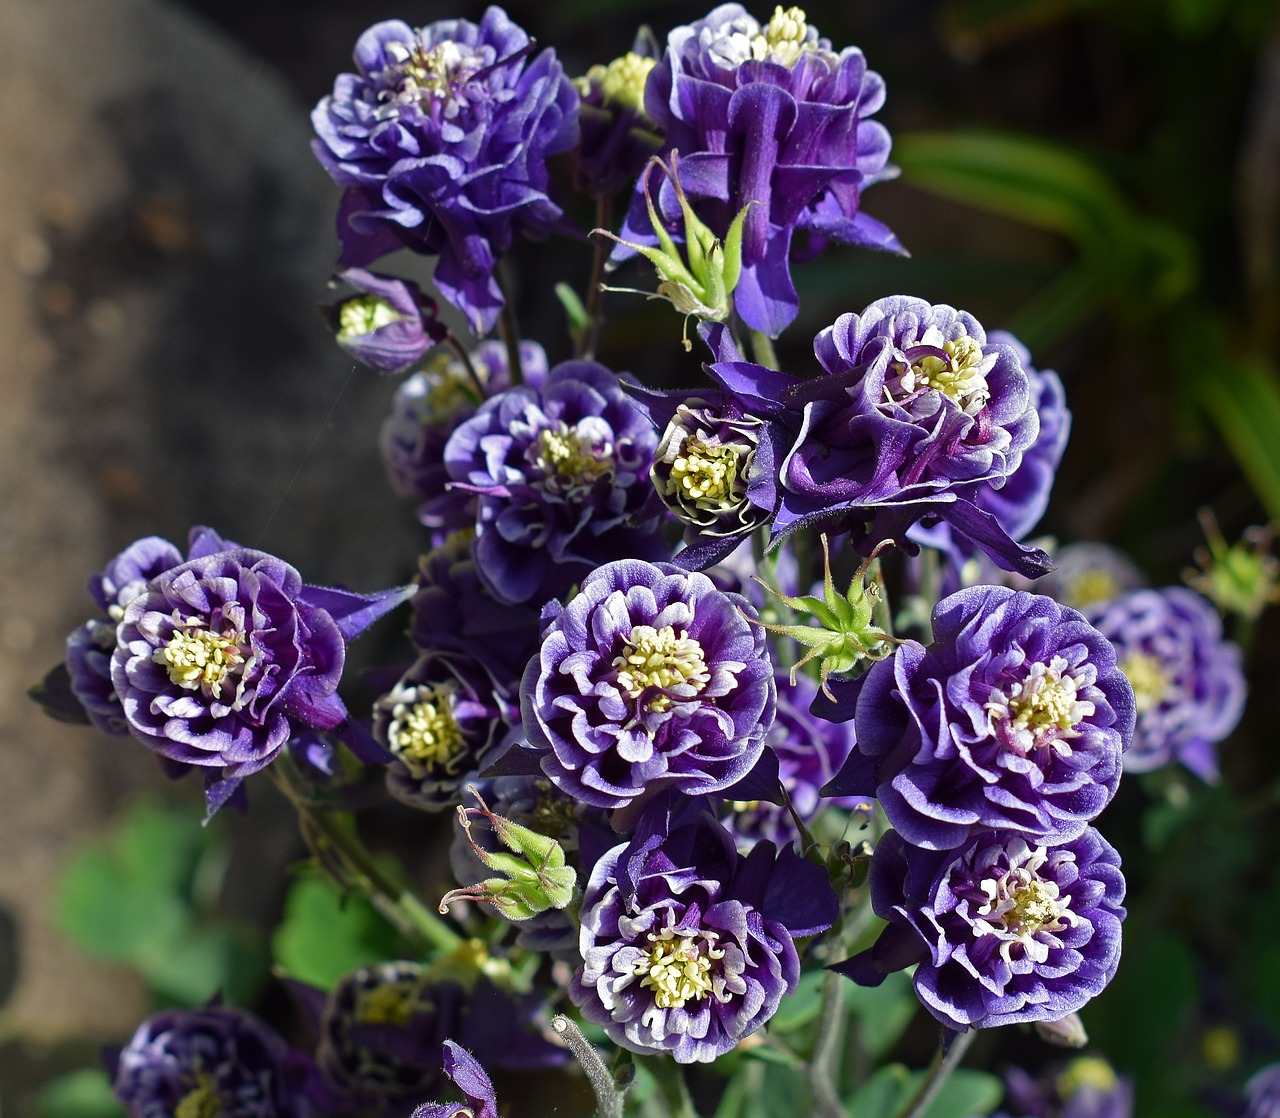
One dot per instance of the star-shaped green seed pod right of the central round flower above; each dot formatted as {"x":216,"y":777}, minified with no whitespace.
{"x":844,"y":635}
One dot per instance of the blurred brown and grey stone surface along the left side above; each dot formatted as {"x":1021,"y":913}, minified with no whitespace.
{"x":164,"y":238}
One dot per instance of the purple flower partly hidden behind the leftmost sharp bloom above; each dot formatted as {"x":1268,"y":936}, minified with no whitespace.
{"x":90,"y":647}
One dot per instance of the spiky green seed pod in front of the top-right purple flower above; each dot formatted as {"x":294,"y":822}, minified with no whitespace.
{"x":701,"y":282}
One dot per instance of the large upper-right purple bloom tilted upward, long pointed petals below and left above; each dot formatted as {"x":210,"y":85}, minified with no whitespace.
{"x":917,"y":413}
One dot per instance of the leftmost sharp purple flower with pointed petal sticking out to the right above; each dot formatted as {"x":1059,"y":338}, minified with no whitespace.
{"x":223,"y":659}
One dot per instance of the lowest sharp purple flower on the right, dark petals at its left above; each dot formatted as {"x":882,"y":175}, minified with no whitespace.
{"x":1002,"y":930}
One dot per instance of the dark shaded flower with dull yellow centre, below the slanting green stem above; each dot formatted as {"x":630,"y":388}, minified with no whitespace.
{"x":383,"y":1032}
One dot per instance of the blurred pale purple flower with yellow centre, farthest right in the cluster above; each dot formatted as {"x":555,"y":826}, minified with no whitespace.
{"x":1187,"y":679}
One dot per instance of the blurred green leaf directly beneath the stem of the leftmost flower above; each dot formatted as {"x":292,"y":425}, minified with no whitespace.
{"x":324,"y":936}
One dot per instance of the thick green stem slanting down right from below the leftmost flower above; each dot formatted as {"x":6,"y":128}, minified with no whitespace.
{"x":340,"y":851}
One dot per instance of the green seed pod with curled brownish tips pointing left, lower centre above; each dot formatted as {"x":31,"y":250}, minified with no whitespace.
{"x":534,"y":877}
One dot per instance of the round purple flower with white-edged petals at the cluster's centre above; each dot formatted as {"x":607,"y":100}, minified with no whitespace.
{"x":650,"y":678}
